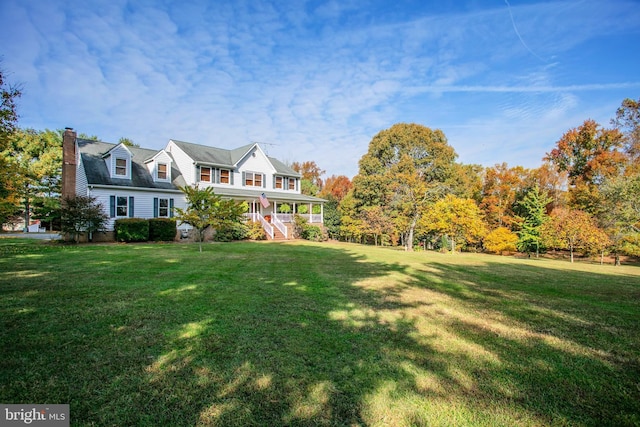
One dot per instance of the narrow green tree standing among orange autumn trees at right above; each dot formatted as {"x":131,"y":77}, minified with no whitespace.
{"x":533,"y":214}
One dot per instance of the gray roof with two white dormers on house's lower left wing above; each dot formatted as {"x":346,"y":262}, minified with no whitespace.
{"x":95,"y":168}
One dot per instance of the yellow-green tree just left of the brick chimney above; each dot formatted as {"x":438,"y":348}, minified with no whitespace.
{"x":35,"y":159}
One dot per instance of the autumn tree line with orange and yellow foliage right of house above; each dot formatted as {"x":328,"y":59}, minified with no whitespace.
{"x":409,"y":190}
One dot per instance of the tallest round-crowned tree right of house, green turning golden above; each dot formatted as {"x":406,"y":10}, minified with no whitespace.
{"x":405,"y":170}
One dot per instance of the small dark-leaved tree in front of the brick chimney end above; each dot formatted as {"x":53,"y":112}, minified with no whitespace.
{"x":82,"y":214}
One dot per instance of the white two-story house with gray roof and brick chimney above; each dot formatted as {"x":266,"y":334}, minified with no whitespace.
{"x":144,"y":183}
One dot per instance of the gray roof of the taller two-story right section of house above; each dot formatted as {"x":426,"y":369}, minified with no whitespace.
{"x":229,"y":158}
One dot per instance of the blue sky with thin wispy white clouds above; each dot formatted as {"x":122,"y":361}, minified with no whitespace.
{"x":316,"y":80}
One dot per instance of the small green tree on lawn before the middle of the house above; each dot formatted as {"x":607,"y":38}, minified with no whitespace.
{"x":205,"y":210}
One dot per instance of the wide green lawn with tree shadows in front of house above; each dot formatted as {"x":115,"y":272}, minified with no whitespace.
{"x":316,"y":334}
